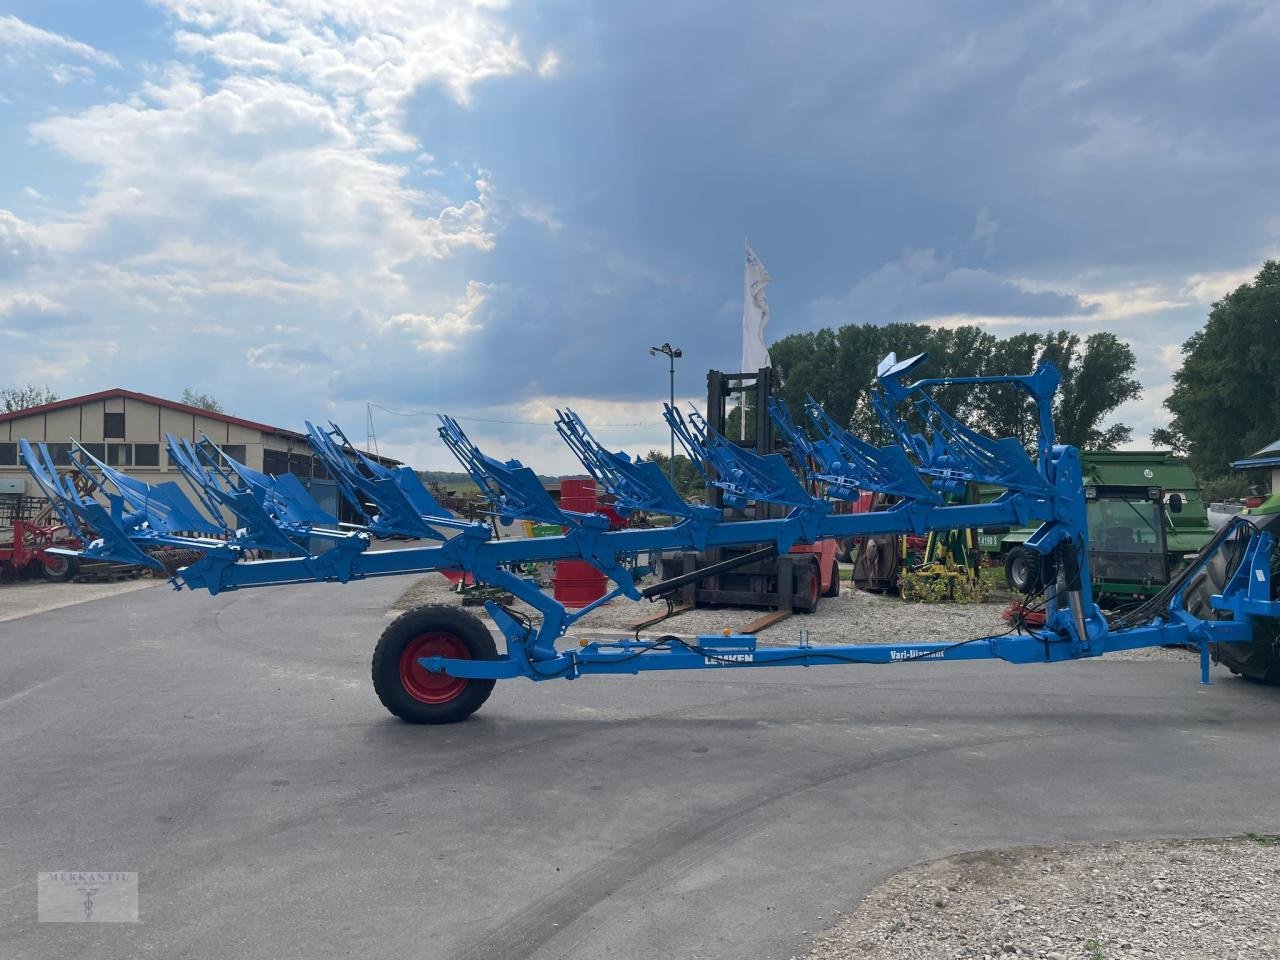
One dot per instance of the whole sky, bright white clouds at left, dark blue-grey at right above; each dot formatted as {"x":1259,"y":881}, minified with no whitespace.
{"x":304,"y":208}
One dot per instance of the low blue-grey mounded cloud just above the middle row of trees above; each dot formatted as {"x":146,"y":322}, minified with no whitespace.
{"x":922,"y":287}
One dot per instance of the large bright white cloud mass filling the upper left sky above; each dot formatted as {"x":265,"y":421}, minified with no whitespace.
{"x":273,"y":175}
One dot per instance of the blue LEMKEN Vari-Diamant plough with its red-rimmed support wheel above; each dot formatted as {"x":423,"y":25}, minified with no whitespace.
{"x":438,"y":665}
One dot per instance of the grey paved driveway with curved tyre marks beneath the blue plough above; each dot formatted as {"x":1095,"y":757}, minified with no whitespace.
{"x":232,"y":752}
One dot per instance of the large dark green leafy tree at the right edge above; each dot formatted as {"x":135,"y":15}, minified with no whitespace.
{"x":1226,"y":403}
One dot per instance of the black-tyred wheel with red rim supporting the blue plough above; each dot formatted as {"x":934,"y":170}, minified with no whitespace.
{"x":413,"y":693}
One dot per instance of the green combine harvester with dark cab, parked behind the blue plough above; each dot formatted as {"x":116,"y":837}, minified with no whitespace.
{"x":1146,"y":519}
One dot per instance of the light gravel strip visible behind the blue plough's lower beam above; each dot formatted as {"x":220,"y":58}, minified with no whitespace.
{"x":852,"y":618}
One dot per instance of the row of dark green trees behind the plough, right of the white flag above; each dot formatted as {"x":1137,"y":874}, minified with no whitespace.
{"x":838,"y":368}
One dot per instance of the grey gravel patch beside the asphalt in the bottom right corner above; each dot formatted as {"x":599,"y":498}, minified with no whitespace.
{"x":1163,"y":900}
